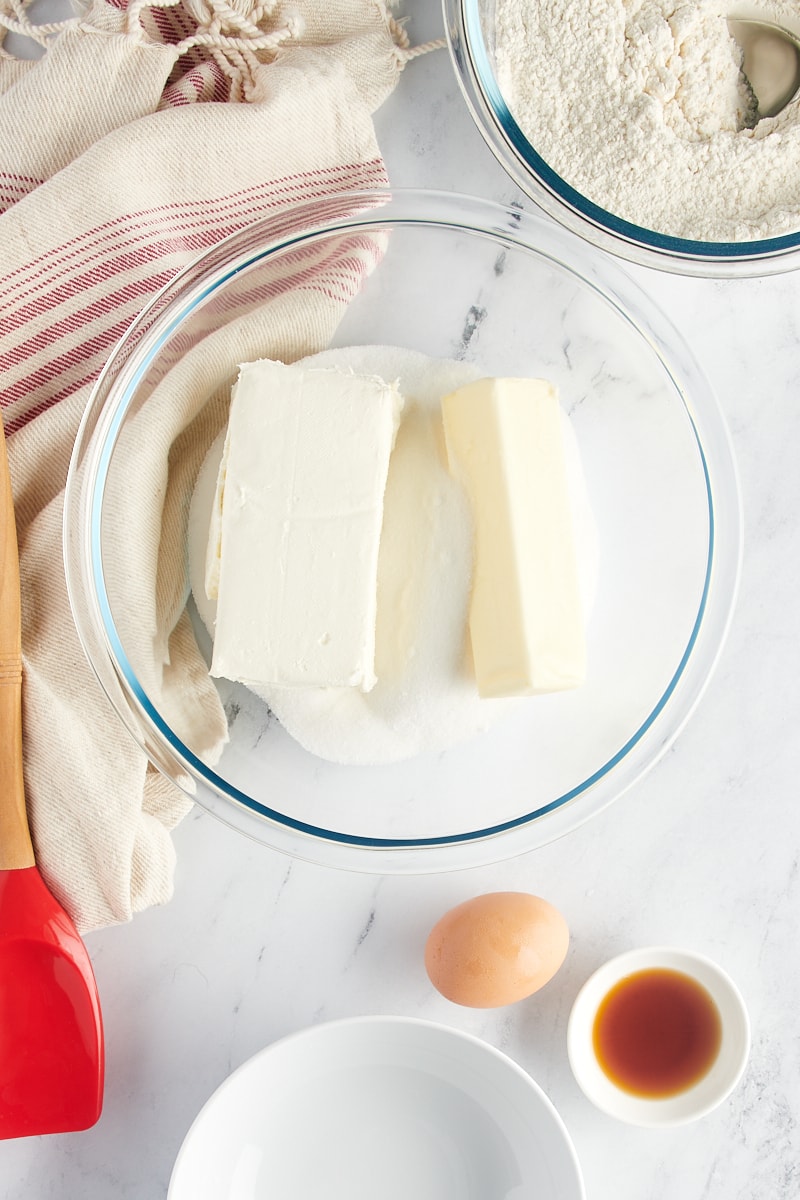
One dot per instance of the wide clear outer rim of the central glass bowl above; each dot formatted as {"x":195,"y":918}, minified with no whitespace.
{"x":83,"y":555}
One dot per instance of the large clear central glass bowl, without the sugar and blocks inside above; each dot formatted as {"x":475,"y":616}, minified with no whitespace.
{"x":453,"y":278}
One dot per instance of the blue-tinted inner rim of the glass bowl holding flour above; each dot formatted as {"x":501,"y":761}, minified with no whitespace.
{"x":683,"y":248}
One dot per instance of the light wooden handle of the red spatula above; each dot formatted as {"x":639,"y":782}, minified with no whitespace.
{"x":16,"y":849}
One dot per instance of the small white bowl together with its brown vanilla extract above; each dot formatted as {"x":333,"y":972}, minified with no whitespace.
{"x":659,"y":1037}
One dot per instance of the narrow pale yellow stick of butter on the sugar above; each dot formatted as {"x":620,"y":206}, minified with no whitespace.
{"x":527,"y":626}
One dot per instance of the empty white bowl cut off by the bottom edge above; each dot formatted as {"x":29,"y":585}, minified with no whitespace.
{"x":376,"y":1107}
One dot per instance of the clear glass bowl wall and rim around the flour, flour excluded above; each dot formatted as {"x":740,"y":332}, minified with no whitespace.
{"x":470,"y":27}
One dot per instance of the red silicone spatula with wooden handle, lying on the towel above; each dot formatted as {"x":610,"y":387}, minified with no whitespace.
{"x":52,"y":1061}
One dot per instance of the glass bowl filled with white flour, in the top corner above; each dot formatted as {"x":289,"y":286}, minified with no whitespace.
{"x":635,"y":127}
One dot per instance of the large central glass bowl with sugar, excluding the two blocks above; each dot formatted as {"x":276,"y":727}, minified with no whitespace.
{"x":417,"y":772}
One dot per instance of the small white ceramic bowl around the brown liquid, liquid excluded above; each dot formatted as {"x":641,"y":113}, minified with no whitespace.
{"x":702,"y":1097}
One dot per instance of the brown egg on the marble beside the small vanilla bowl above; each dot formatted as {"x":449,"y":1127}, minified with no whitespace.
{"x":496,"y":950}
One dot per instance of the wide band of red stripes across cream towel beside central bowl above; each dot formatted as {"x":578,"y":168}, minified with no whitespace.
{"x":134,"y":256}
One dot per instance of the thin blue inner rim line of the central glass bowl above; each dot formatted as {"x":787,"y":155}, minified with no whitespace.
{"x":188,"y":757}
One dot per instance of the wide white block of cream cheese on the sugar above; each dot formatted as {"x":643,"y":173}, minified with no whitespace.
{"x":293,"y":544}
